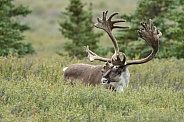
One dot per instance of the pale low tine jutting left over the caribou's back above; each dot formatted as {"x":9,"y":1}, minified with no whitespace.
{"x":92,"y":56}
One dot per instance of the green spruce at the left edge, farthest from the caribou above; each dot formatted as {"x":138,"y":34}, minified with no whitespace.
{"x":11,"y":30}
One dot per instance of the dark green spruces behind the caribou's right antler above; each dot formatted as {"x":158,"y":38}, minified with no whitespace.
{"x":168,"y":16}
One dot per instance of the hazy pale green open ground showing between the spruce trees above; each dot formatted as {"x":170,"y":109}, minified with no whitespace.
{"x":43,"y":21}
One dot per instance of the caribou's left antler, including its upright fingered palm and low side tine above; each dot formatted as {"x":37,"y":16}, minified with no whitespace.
{"x":108,"y":25}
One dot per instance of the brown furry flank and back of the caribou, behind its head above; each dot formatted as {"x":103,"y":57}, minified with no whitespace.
{"x":88,"y":74}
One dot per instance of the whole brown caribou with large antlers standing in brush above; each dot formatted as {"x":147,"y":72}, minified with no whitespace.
{"x":114,"y":74}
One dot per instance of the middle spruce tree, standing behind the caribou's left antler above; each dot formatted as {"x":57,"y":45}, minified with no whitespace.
{"x":77,"y":25}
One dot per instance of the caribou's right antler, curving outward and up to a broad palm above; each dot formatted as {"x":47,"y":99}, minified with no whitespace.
{"x":151,"y":35}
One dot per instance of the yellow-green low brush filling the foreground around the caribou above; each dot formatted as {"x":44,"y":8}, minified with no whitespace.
{"x":34,"y":90}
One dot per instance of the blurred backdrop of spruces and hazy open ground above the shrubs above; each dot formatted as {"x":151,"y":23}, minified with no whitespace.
{"x":64,"y":27}
